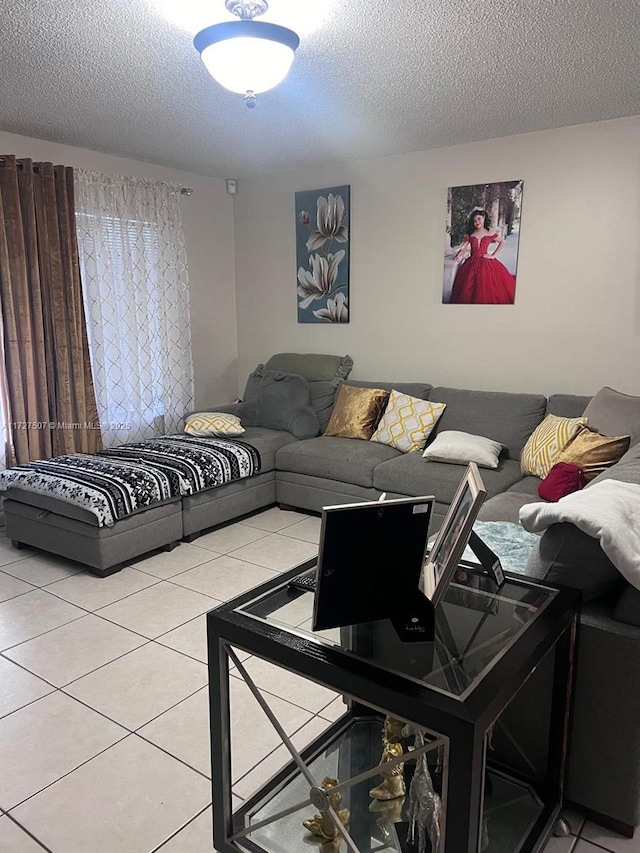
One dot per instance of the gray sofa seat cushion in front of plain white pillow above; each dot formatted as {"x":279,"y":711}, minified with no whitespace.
{"x":410,"y":474}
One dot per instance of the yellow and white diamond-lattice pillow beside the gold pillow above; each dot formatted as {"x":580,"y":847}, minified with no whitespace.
{"x":407,"y":422}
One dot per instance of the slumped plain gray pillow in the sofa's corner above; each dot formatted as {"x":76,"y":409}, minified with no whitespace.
{"x":282,"y":401}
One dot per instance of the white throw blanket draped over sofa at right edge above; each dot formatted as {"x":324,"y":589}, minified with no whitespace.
{"x":608,"y":511}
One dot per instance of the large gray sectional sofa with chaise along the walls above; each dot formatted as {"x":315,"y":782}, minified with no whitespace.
{"x":309,"y":473}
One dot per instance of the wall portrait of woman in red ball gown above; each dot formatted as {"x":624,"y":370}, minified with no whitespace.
{"x":481,"y":246}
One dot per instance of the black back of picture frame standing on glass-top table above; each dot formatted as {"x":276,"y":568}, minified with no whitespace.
{"x":371,"y":557}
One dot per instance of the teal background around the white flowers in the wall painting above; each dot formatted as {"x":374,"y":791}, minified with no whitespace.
{"x":307,"y":201}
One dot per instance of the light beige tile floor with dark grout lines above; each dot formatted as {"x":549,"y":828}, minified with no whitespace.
{"x":103,"y":701}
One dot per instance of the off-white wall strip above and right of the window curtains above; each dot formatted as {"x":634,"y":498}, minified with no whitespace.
{"x":208,"y":225}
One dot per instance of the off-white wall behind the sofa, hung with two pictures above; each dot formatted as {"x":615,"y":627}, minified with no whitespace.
{"x":575,"y":325}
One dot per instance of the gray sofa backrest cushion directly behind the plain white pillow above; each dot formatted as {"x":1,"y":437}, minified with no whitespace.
{"x":499,"y":415}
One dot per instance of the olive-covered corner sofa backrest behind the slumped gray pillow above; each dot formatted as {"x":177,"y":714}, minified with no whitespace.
{"x":324,"y":373}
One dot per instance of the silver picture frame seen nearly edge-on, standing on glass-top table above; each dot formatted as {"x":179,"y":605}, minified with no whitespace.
{"x":444,"y":557}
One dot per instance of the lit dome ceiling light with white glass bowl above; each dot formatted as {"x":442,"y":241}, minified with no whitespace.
{"x":247,"y":56}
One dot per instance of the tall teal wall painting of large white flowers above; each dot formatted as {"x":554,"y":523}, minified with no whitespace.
{"x":322,"y":255}
